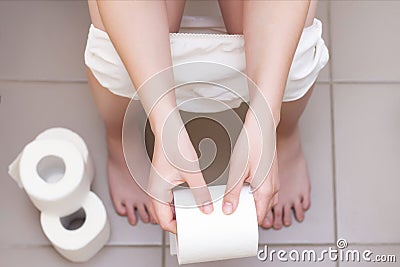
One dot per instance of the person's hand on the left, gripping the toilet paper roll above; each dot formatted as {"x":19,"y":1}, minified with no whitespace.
{"x":175,"y":163}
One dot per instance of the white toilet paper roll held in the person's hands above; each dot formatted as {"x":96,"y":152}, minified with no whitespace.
{"x":216,"y":236}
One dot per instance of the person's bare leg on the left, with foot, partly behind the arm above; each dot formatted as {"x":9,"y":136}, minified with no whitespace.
{"x":125,"y":193}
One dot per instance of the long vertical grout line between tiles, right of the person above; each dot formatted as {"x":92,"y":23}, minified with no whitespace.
{"x":332,"y":113}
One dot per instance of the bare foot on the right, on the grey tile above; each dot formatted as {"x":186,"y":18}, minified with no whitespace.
{"x":294,"y":193}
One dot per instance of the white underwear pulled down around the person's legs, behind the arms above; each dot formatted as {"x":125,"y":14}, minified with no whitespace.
{"x":310,"y":57}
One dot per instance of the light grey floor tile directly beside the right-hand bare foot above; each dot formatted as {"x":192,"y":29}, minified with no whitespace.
{"x":318,"y":226}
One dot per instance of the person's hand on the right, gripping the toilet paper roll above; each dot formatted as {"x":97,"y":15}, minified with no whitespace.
{"x":254,"y":166}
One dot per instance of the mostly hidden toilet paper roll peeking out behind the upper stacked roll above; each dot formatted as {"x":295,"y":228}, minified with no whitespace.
{"x":68,"y":135}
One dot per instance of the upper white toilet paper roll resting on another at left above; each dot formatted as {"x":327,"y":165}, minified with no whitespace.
{"x":60,"y":196}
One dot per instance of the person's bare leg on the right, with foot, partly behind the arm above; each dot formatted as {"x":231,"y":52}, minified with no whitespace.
{"x":294,"y":180}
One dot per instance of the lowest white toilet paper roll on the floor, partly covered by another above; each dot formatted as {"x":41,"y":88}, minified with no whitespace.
{"x":79,"y":245}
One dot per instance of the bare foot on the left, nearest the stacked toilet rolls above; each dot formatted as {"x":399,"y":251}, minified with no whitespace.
{"x":128,"y":198}
